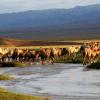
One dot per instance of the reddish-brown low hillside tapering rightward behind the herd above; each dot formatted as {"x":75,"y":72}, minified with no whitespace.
{"x":5,"y":42}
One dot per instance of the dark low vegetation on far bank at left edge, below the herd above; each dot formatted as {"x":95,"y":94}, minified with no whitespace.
{"x":12,"y":64}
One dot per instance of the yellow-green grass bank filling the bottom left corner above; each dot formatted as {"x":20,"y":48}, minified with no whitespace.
{"x":5,"y":95}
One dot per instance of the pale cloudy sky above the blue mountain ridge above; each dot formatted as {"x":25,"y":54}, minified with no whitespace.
{"x":9,"y":6}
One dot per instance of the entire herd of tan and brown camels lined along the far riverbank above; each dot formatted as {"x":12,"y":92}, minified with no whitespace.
{"x":90,"y":52}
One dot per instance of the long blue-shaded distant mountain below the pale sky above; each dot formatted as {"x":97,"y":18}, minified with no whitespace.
{"x":78,"y":22}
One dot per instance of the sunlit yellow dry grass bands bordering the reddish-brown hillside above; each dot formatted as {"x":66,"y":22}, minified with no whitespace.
{"x":46,"y":46}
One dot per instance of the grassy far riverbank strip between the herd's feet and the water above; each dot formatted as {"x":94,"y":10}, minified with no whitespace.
{"x":63,"y":59}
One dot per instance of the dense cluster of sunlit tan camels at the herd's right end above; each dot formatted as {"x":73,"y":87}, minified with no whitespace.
{"x":91,"y":51}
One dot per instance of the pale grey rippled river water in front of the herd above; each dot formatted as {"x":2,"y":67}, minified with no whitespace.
{"x":58,"y":81}
